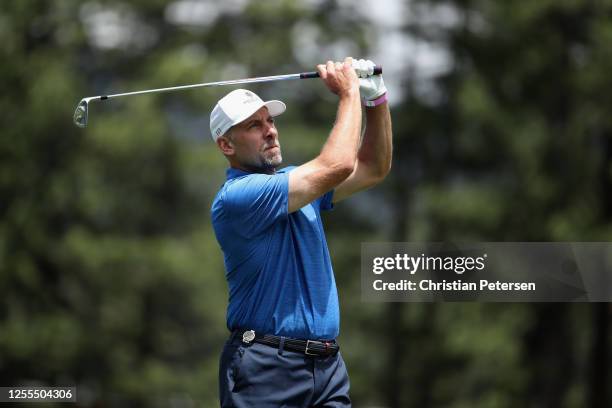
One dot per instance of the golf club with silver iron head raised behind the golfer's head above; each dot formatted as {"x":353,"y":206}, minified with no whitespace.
{"x":82,"y":109}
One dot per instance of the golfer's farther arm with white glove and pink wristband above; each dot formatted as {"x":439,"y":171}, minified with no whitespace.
{"x":374,"y":156}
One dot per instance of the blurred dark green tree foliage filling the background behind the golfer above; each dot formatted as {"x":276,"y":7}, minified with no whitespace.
{"x":110,"y":275}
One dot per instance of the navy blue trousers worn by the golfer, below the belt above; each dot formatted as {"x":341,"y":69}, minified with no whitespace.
{"x":256,"y":375}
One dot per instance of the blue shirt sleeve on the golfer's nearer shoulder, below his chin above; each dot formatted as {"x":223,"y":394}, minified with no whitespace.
{"x":256,"y":201}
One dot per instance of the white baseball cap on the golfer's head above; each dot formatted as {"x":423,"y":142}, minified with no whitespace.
{"x":237,"y":106}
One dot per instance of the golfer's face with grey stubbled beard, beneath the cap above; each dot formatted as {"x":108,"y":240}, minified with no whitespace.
{"x":255,"y":142}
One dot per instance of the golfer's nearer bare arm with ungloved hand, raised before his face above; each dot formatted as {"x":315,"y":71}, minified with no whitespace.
{"x":339,"y":154}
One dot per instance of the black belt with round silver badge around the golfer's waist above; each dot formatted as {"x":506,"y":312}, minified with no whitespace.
{"x":308,"y":347}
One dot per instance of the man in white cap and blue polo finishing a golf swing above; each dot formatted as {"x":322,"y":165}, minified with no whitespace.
{"x":283,"y":304}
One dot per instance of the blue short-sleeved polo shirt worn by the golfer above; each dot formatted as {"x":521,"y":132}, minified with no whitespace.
{"x":277,"y":264}
